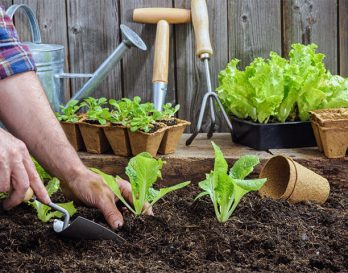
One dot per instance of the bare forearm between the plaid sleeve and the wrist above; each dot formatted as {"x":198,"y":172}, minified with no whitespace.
{"x":26,"y":113}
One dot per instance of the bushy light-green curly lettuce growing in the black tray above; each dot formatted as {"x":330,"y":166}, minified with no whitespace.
{"x":278,"y":89}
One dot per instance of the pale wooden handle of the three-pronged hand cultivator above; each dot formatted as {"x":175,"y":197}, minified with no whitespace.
{"x":200,"y":22}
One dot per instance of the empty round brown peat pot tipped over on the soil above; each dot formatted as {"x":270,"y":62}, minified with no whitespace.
{"x":289,"y":180}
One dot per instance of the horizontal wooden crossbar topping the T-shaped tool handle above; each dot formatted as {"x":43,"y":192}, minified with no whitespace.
{"x":154,"y":15}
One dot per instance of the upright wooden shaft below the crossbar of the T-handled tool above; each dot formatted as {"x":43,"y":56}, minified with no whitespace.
{"x":161,"y":59}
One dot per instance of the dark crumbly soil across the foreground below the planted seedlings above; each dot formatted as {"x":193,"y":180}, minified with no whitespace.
{"x":262,"y":236}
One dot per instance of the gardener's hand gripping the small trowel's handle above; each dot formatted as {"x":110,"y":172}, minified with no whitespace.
{"x":17,"y":172}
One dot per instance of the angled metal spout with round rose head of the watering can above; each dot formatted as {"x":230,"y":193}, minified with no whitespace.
{"x":130,"y":38}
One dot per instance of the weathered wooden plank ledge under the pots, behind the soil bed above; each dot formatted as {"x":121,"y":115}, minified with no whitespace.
{"x":191,"y":163}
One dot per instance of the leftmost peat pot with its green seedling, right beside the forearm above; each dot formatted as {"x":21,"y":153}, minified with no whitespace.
{"x":68,"y":118}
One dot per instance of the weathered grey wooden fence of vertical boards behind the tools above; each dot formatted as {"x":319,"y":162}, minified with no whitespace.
{"x":241,"y":29}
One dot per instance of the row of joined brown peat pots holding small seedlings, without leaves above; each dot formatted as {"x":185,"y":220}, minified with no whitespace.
{"x":95,"y":138}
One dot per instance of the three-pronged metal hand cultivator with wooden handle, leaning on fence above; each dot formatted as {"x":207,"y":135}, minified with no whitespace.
{"x":204,"y":51}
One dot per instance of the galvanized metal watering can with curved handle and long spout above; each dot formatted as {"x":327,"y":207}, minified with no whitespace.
{"x":50,"y":58}
